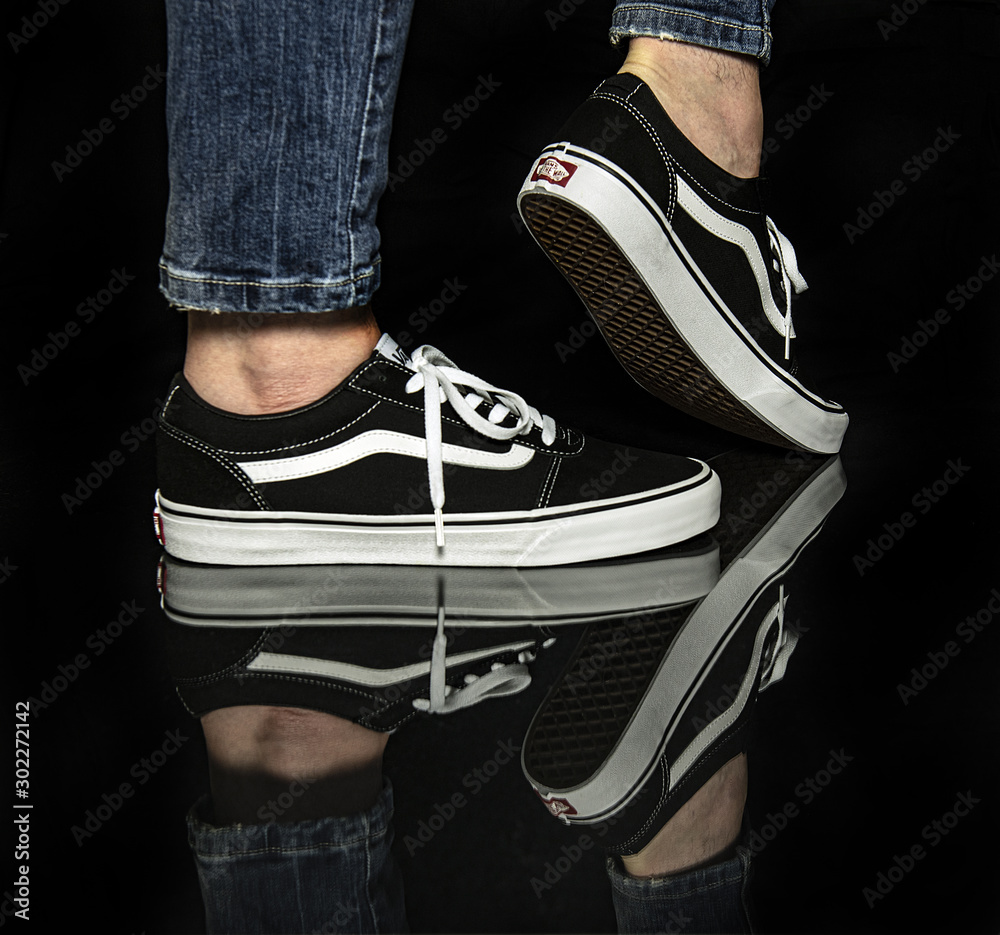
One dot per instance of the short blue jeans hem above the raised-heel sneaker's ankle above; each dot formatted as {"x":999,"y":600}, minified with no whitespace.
{"x":742,"y":26}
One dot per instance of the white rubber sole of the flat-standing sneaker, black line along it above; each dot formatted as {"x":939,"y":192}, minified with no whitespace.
{"x":552,"y":536}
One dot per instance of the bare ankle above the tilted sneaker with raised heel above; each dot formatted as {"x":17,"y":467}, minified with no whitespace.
{"x":712,"y":96}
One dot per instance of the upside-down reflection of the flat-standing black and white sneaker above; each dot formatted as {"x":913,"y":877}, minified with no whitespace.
{"x":377,"y":645}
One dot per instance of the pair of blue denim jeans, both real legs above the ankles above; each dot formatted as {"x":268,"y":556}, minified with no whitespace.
{"x":278,"y":120}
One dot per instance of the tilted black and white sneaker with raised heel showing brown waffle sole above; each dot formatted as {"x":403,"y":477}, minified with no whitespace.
{"x":688,"y":279}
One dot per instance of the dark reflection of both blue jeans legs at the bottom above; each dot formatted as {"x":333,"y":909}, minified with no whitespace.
{"x":338,"y":875}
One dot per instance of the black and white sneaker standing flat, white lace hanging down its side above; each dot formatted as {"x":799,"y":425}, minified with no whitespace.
{"x":359,"y":477}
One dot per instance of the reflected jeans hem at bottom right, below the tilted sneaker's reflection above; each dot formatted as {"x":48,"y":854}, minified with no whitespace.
{"x":712,"y":898}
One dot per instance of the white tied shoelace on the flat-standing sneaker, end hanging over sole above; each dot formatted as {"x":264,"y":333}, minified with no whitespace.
{"x":439,"y":378}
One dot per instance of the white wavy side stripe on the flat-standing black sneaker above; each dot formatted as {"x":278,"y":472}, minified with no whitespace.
{"x":380,"y":441}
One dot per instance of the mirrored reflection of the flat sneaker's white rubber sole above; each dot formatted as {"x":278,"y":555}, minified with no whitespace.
{"x":409,"y":595}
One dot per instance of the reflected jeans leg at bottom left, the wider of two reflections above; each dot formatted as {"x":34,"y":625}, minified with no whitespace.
{"x":326,"y":874}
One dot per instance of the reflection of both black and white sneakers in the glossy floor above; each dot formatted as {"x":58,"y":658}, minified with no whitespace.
{"x":672,"y":647}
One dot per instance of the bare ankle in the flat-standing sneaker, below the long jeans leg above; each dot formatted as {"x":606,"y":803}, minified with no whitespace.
{"x":255,"y":363}
